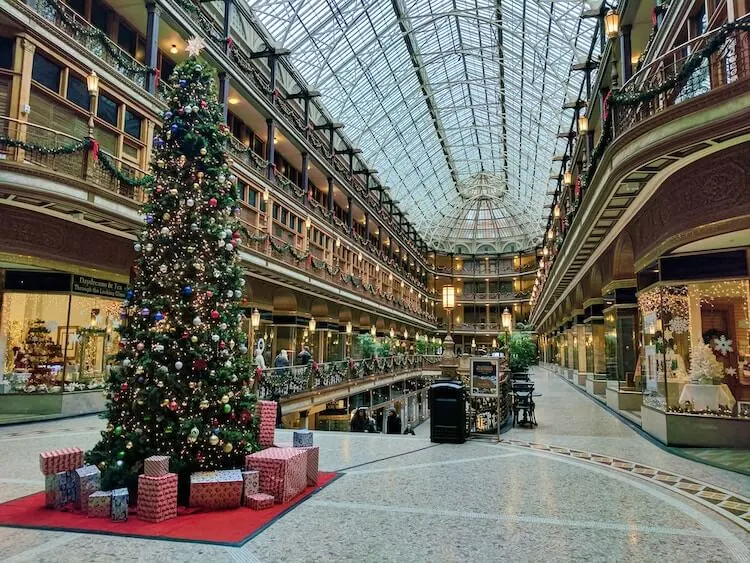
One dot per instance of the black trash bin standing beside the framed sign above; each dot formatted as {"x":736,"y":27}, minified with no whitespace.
{"x":447,"y":412}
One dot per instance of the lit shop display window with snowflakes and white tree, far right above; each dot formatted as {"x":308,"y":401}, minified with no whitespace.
{"x":695,"y":348}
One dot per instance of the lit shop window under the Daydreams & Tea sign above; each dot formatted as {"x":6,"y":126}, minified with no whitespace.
{"x":51,"y":343}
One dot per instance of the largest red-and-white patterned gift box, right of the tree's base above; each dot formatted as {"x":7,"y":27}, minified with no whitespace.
{"x":283,"y":471}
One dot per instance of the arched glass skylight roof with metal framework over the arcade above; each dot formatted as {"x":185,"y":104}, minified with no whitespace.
{"x":456,"y":103}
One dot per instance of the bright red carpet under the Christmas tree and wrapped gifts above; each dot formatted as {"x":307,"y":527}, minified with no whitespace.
{"x":226,"y":527}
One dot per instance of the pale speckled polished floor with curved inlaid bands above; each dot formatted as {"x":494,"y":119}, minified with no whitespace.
{"x":403,"y":499}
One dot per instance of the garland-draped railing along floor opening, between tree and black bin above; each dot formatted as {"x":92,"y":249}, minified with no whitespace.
{"x":290,"y":381}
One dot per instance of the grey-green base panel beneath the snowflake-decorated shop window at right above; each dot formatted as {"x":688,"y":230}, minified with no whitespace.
{"x":687,"y":430}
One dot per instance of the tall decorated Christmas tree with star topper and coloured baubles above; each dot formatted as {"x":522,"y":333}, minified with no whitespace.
{"x":181,"y":387}
